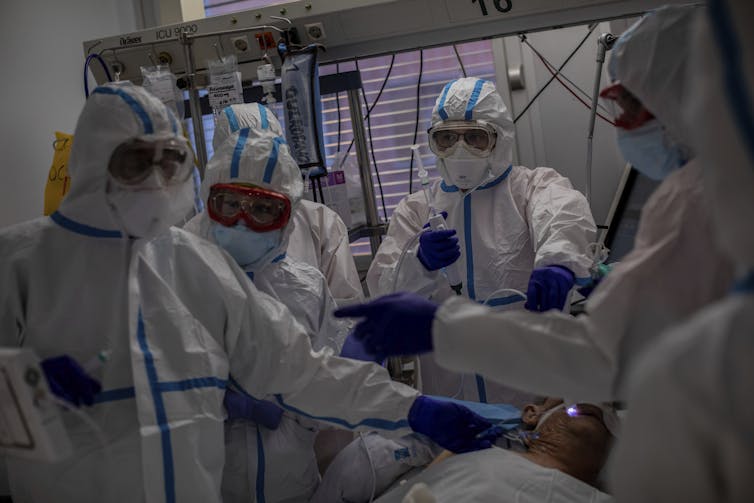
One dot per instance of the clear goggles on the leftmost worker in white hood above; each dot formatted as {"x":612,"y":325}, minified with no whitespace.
{"x":133,"y":161}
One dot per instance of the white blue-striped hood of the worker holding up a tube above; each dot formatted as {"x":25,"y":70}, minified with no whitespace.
{"x":476,"y":99}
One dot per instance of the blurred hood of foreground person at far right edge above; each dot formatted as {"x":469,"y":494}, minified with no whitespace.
{"x":721,"y":119}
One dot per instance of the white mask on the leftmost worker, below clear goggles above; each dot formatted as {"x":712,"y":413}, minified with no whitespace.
{"x":148,"y":212}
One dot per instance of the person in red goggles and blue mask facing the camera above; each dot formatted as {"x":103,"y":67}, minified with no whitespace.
{"x":252,"y":186}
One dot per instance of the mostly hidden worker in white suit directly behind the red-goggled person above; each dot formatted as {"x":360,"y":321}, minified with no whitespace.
{"x":318,"y":236}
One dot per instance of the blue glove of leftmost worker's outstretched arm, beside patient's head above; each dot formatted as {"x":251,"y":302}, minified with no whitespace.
{"x":452,"y":426}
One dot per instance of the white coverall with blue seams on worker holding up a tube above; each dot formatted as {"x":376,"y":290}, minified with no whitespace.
{"x":521,"y":219}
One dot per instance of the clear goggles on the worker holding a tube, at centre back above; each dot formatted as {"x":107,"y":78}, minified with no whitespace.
{"x":479,"y":137}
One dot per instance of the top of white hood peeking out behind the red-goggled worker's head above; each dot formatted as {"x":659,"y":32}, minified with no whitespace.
{"x":258,"y":118}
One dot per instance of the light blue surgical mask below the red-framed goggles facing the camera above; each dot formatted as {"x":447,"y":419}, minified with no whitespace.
{"x":244,"y":245}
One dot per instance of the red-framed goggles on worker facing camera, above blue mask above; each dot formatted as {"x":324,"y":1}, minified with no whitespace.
{"x":260,"y":209}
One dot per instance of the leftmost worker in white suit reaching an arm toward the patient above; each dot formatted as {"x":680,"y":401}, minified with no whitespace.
{"x":176,"y":318}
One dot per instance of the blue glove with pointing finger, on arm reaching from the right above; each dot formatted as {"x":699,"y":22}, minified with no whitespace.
{"x":393,"y":325}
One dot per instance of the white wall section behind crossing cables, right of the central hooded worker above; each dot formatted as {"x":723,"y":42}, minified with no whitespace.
{"x":554,"y":131}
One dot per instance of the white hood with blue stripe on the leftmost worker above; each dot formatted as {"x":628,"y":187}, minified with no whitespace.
{"x":113,"y":113}
